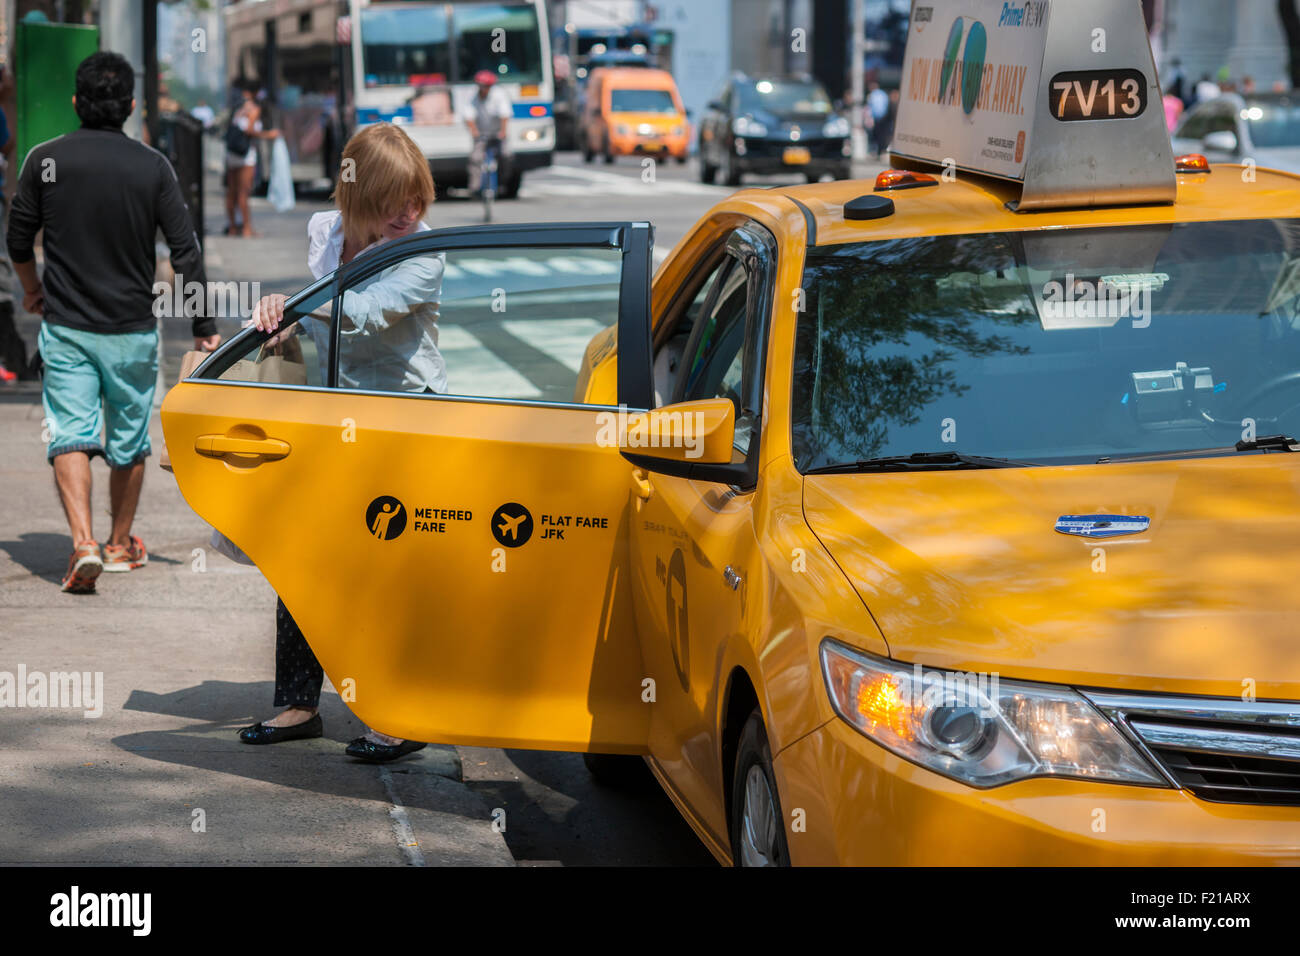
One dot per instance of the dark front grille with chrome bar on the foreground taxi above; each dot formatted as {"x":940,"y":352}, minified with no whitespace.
{"x":1223,"y":751}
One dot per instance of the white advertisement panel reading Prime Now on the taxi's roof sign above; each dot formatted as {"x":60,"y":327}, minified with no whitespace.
{"x":970,"y":83}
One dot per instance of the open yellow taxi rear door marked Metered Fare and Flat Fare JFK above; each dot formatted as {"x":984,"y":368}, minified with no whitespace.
{"x":458,"y":563}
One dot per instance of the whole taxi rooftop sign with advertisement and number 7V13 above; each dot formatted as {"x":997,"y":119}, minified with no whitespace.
{"x":1059,"y":97}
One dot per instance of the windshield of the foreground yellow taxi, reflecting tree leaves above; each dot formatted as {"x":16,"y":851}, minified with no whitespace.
{"x":1050,"y":348}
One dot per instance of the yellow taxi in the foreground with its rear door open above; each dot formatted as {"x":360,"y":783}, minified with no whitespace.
{"x":944,"y":520}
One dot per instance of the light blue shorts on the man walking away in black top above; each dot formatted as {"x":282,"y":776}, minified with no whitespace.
{"x":97,"y":383}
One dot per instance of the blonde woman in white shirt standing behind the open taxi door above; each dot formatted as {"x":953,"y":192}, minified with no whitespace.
{"x":388,"y":343}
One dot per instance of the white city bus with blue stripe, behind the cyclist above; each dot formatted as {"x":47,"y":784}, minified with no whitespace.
{"x":414,"y":64}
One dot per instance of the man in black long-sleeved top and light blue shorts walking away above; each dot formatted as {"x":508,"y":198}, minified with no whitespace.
{"x":101,"y":200}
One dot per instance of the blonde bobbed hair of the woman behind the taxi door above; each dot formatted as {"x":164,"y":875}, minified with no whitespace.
{"x":383,"y":171}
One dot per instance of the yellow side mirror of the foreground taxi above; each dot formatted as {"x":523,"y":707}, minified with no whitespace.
{"x":688,"y":434}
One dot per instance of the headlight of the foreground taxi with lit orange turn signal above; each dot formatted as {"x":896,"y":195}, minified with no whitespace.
{"x":977,"y":729}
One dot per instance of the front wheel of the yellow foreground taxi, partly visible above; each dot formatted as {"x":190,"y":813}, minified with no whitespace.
{"x":759,"y":825}
